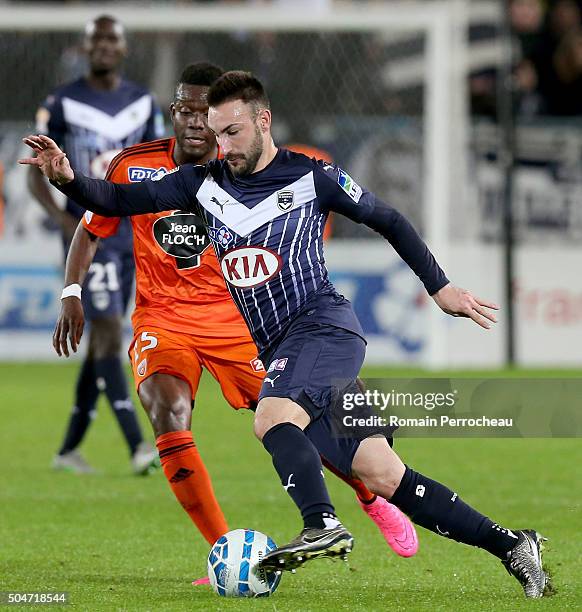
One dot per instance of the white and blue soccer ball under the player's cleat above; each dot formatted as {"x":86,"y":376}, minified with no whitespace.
{"x":233,"y":565}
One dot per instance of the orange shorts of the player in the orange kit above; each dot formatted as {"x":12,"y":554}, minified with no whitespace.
{"x":231,"y":361}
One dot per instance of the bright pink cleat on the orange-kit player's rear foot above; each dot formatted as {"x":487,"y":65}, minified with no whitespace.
{"x":395,"y":526}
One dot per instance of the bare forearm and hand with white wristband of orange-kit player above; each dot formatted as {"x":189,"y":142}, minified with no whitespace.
{"x":71,"y":321}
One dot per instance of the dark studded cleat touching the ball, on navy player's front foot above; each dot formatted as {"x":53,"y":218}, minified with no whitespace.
{"x":310,"y":544}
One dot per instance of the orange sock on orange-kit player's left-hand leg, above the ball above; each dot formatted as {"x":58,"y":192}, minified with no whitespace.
{"x":190,"y":482}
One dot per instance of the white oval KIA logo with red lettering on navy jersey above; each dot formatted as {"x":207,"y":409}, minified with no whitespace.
{"x":246,"y":267}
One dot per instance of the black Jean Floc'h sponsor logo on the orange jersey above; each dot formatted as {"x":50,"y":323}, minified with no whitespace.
{"x":183,"y":236}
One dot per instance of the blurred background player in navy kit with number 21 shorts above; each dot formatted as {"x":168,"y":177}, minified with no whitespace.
{"x":94,"y":118}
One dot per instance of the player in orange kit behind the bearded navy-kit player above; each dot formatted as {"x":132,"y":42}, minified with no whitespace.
{"x":184,"y":317}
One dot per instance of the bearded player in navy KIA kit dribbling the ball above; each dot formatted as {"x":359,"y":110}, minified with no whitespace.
{"x":264,"y":209}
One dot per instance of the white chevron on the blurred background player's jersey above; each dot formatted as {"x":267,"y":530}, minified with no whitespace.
{"x":116,"y":127}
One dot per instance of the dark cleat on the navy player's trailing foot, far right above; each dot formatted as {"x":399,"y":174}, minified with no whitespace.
{"x":524,"y":562}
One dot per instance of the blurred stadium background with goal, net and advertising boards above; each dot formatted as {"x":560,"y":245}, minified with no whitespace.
{"x":418,"y":100}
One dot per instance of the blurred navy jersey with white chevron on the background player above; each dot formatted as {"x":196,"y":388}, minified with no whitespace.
{"x":93,"y":126}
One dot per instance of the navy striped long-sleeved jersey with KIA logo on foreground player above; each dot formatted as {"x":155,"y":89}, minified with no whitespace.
{"x":266,"y":229}
